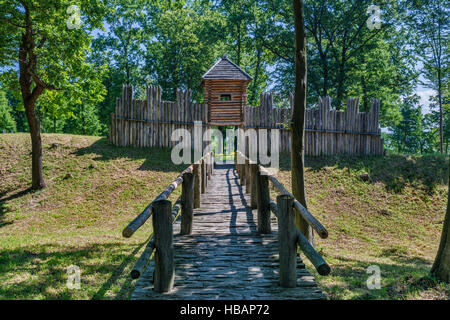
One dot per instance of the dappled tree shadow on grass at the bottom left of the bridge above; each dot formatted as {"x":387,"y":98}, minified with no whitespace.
{"x":41,"y":272}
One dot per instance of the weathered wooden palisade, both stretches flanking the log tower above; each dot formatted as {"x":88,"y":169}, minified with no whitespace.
{"x":150,"y":123}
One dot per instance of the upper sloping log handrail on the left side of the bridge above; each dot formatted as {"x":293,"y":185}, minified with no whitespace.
{"x":131,"y":228}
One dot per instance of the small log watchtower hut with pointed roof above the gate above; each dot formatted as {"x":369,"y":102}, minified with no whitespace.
{"x":225,"y":88}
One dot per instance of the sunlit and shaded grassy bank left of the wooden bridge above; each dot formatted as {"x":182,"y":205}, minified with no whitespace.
{"x":94,"y":190}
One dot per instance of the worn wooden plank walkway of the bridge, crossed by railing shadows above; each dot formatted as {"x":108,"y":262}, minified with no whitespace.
{"x":225,"y":257}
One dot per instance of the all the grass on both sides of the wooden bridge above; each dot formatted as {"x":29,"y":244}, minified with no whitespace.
{"x":95,"y":189}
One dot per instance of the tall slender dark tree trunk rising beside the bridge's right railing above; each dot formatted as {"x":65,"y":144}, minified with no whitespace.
{"x":298,"y":117}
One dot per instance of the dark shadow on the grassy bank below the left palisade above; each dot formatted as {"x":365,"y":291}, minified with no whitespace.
{"x":155,"y":159}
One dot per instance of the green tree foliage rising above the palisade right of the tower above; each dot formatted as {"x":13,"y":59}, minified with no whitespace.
{"x":345,"y":57}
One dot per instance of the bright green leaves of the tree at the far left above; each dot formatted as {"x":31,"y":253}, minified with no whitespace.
{"x":61,"y":47}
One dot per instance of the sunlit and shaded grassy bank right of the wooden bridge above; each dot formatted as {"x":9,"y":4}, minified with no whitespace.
{"x":393,"y":221}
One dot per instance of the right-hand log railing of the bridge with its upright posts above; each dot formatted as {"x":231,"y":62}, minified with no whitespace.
{"x":256,"y":179}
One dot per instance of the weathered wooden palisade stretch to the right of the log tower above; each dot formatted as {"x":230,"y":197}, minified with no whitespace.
{"x":327,"y":131}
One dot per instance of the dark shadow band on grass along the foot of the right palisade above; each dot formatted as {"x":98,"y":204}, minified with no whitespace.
{"x":395,"y":171}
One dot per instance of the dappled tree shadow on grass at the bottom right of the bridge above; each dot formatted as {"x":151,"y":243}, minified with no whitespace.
{"x":406,"y":277}
